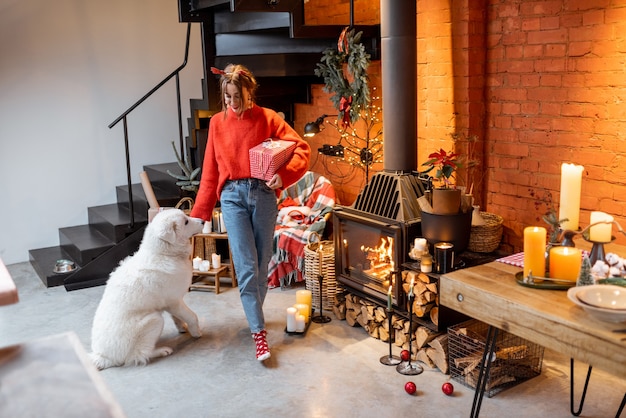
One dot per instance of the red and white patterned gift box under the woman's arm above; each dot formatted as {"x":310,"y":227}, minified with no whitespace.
{"x":267,"y":157}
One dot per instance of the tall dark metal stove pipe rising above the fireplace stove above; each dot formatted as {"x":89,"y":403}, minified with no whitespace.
{"x":398,"y":27}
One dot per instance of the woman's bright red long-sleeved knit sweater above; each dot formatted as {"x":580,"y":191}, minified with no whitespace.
{"x":227,"y":158}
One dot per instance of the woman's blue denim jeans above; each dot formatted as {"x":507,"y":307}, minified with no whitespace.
{"x":249,"y":208}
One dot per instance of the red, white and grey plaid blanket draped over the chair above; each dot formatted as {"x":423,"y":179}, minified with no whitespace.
{"x":302,"y":210}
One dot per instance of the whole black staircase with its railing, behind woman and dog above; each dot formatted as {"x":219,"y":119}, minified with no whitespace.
{"x":270,"y":38}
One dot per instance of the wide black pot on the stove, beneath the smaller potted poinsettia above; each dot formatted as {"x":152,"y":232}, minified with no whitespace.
{"x":455,"y":229}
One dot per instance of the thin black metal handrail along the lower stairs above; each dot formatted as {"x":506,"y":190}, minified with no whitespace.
{"x":123,"y":117}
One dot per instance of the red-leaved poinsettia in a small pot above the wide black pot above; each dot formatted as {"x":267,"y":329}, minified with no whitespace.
{"x":446,"y":199}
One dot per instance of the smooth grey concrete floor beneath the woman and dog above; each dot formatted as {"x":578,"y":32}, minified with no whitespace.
{"x":333,"y":371}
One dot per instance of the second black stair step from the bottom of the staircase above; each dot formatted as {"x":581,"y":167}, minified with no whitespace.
{"x":83,"y":243}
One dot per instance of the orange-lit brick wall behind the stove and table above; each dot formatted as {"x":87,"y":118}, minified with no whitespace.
{"x":540,"y":83}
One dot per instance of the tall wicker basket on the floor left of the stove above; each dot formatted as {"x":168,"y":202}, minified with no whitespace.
{"x":330,"y":286}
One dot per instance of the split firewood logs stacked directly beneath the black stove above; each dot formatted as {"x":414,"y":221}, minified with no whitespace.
{"x":427,"y":346}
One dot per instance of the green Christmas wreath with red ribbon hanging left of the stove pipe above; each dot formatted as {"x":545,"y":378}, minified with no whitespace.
{"x":344,"y":70}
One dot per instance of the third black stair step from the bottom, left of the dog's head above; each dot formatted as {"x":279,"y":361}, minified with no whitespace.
{"x":113,"y":221}
